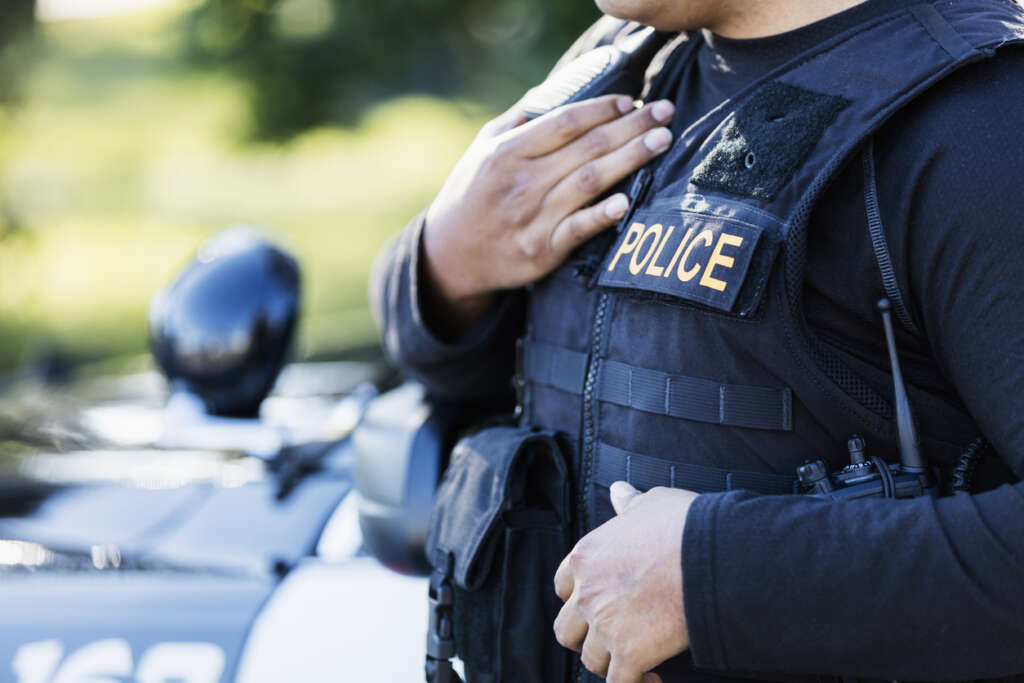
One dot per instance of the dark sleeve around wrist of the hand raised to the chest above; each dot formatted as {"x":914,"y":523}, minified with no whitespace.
{"x":478,"y":367}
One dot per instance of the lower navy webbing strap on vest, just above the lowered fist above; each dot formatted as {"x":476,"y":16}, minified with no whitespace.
{"x":646,"y":473}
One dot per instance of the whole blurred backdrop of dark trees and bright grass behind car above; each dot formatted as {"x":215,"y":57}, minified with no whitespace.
{"x":126,"y":141}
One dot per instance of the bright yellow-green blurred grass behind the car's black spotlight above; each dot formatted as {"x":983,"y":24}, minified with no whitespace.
{"x":121,"y":160}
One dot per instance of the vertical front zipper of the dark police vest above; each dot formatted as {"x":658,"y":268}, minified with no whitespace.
{"x":638,"y":190}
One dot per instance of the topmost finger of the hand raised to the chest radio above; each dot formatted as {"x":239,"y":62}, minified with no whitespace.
{"x":559,"y":129}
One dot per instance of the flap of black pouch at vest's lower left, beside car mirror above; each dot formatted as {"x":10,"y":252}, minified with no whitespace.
{"x":494,"y":472}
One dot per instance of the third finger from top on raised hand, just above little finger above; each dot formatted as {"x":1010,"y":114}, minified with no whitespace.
{"x":594,"y":178}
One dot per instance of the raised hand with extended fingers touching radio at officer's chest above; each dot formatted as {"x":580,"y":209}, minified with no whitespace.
{"x":520,"y":199}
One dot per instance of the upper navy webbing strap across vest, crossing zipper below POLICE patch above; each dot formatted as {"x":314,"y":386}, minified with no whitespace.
{"x":661,"y":394}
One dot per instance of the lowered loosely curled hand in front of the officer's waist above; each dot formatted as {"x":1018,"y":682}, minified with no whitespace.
{"x":623,"y":587}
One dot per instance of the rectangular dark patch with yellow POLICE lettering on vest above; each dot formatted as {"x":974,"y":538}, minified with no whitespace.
{"x":692,"y":257}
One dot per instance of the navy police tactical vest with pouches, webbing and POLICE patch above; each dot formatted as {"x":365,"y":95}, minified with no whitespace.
{"x":674,"y":351}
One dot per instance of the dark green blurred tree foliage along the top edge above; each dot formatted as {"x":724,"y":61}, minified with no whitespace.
{"x":315,"y":62}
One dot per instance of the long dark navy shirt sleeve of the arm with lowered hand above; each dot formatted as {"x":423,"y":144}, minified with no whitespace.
{"x":919,"y":589}
